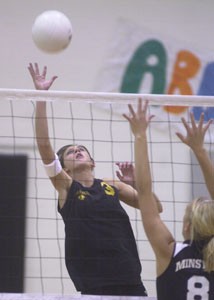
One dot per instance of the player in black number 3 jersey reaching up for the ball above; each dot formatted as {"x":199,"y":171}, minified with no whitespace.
{"x":100,"y":249}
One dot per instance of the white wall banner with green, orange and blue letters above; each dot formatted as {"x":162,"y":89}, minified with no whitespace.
{"x":140,"y":61}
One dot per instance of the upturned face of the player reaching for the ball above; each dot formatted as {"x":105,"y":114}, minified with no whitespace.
{"x":75,"y":156}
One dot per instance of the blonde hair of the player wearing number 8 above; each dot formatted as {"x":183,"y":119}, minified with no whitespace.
{"x":202,"y":228}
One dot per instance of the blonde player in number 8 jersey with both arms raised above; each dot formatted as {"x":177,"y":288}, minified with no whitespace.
{"x":184,"y":271}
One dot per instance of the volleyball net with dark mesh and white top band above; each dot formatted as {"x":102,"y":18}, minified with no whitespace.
{"x":94,"y":120}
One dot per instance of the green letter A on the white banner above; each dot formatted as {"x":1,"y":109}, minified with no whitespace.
{"x":141,"y":63}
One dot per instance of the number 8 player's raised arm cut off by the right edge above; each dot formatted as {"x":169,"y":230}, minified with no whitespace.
{"x":195,"y":140}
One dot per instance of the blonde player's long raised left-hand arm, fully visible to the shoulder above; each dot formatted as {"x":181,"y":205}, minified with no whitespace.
{"x":158,"y":234}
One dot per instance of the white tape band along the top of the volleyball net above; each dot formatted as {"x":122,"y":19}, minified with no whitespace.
{"x":33,"y":95}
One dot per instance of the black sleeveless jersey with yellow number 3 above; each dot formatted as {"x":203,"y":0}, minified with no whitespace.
{"x":100,"y":247}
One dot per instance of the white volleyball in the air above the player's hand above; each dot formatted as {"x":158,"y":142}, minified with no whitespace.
{"x":52,"y":31}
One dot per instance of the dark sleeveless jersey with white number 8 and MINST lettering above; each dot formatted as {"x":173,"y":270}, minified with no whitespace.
{"x":185,"y":278}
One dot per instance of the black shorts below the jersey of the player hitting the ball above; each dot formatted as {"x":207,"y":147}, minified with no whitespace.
{"x":117,"y":290}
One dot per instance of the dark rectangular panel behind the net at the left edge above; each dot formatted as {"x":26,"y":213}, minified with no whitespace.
{"x":13,"y":172}
